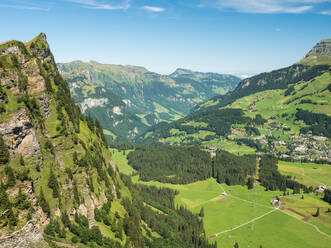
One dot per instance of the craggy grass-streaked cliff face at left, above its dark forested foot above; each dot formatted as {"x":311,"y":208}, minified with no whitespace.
{"x":53,"y":162}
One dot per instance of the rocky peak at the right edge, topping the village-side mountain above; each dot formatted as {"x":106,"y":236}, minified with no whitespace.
{"x":319,"y":54}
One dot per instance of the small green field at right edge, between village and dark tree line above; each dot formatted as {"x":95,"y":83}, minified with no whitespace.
{"x":307,"y":173}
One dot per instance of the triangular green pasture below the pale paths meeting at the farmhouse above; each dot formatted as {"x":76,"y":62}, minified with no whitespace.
{"x":275,"y":230}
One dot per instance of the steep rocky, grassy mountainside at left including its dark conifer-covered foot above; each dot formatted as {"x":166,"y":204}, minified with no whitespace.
{"x":58,"y":184}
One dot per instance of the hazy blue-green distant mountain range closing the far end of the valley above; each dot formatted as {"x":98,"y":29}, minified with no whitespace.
{"x":129,"y":99}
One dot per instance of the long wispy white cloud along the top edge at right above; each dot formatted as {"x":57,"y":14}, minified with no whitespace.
{"x":267,"y":6}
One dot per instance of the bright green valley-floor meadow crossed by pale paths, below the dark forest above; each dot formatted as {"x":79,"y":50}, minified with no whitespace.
{"x":255,"y":221}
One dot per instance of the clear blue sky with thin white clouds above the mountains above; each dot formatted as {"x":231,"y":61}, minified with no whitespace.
{"x":242,"y":37}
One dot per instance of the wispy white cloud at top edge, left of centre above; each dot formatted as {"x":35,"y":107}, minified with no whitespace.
{"x":92,"y":4}
